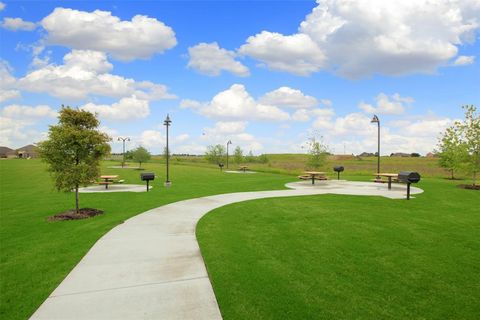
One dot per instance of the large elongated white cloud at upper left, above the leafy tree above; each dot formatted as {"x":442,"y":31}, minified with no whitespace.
{"x":99,"y":30}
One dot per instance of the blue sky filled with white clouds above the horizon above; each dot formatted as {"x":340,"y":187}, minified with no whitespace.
{"x":265,"y":74}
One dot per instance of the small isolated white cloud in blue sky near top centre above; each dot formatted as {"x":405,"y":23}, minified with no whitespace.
{"x":210,"y":59}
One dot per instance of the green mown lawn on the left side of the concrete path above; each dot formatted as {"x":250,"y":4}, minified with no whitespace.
{"x":35,"y":255}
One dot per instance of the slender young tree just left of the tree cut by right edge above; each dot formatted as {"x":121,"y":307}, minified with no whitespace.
{"x":452,"y":151}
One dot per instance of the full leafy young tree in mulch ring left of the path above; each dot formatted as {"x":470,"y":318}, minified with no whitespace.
{"x":74,"y":149}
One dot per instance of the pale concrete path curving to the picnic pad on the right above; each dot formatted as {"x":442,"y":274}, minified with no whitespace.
{"x":150,"y":267}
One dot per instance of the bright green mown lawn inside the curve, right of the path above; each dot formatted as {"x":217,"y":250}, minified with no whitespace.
{"x":347,"y":257}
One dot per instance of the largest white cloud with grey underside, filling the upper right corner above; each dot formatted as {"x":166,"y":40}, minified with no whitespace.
{"x":360,"y":38}
